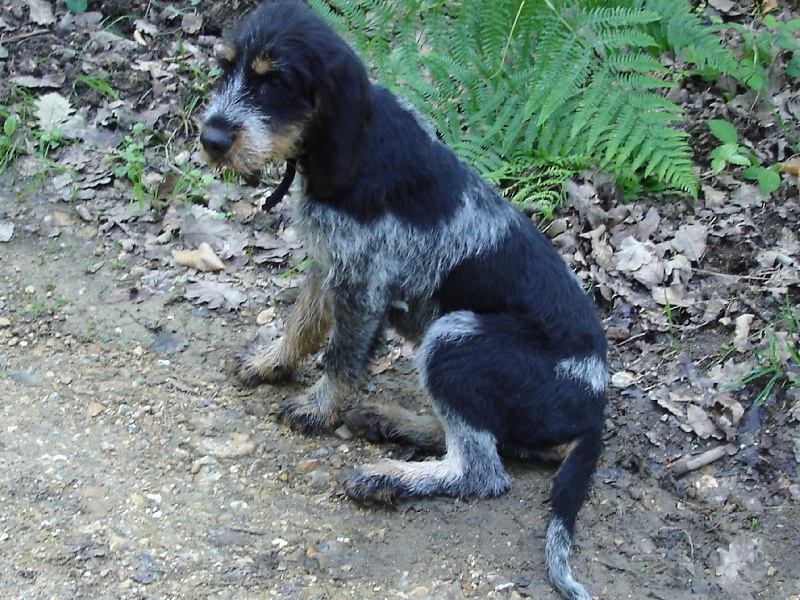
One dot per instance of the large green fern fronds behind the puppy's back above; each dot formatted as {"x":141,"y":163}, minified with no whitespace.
{"x":570,"y":80}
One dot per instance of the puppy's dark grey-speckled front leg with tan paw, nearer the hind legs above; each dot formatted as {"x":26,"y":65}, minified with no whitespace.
{"x":358,"y":319}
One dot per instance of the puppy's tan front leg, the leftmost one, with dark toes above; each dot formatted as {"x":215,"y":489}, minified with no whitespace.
{"x":306,"y":328}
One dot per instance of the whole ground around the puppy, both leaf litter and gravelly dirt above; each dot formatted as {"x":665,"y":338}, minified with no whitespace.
{"x":132,"y":464}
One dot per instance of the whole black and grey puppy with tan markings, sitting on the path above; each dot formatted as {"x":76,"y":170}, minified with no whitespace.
{"x":403,"y":234}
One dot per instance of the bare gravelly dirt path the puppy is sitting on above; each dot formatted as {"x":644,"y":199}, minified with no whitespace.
{"x":129,"y":474}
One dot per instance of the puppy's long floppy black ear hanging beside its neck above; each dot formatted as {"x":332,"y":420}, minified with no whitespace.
{"x":340,"y":136}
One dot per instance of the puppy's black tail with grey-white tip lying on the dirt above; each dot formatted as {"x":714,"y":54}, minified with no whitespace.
{"x":570,"y":487}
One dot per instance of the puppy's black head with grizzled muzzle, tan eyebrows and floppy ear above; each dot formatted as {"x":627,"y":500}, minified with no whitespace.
{"x":290,"y":89}
